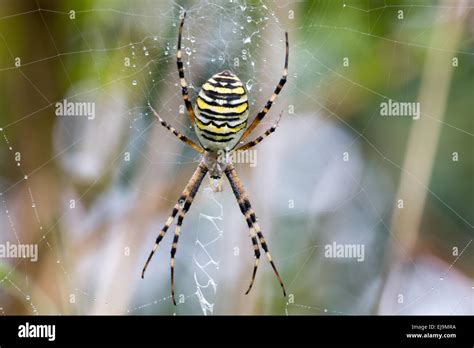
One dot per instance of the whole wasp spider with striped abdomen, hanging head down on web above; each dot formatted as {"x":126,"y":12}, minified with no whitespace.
{"x":220,"y":124}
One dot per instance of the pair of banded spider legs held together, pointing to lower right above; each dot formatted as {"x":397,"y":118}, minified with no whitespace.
{"x":249,"y":214}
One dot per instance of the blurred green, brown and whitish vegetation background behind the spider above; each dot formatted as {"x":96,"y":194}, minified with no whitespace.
{"x":97,"y":191}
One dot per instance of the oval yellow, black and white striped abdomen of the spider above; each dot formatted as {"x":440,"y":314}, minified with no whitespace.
{"x":222,"y":112}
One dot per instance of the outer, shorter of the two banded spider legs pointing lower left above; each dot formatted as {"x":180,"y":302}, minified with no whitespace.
{"x":192,"y":186}
